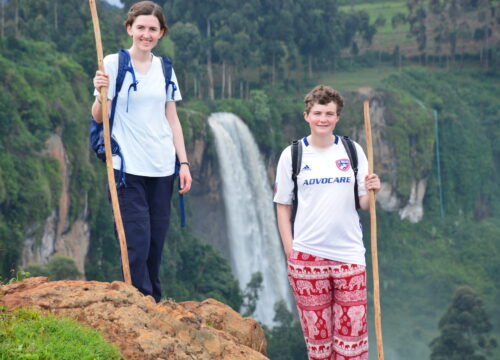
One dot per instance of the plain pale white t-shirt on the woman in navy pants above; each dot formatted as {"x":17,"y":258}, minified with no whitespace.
{"x":142,"y":130}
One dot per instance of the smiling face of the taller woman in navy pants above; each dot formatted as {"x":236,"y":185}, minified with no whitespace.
{"x":145,"y":32}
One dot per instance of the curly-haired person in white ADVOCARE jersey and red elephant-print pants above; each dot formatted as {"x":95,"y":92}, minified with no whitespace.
{"x":326,"y":265}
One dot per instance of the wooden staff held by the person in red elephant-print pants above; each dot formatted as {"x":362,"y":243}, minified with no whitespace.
{"x":373,"y":231}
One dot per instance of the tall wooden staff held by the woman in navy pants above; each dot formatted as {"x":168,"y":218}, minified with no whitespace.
{"x":107,"y":145}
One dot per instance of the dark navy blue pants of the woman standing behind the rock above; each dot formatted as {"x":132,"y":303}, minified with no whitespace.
{"x":145,"y":211}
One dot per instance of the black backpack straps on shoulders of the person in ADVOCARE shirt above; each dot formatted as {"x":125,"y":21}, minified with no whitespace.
{"x":296,"y":164}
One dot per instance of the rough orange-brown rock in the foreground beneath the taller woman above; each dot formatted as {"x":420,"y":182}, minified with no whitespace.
{"x":142,"y":329}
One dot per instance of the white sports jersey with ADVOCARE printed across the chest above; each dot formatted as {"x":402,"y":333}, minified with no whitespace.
{"x":327,"y":223}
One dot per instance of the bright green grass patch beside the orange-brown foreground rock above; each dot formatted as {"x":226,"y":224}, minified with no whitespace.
{"x":28,"y":335}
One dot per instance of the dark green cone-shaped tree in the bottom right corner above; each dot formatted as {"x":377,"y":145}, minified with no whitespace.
{"x":464,"y":329}
